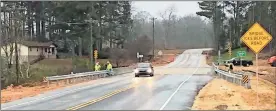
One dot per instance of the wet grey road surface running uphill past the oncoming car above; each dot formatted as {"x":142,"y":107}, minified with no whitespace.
{"x":173,"y":87}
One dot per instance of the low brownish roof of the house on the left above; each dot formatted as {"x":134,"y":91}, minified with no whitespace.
{"x":37,"y":44}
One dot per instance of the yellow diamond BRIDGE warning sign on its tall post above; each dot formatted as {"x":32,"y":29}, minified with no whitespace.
{"x":256,"y":38}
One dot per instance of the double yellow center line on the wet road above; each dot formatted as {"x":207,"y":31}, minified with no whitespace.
{"x":105,"y":96}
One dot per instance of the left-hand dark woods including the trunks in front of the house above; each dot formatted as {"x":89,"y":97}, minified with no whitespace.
{"x":75,"y":27}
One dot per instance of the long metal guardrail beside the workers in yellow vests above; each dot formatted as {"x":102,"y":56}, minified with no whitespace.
{"x":78,"y":77}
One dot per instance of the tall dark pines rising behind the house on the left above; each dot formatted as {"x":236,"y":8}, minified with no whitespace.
{"x":68,"y":23}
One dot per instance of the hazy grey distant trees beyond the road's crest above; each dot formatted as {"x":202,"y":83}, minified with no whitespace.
{"x":173,"y":31}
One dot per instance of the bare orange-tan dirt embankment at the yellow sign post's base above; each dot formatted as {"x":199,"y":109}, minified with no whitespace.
{"x":222,"y":95}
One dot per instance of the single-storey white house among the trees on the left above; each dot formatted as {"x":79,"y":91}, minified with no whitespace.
{"x":30,"y":51}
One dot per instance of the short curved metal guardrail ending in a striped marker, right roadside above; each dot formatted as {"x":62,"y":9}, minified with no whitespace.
{"x":241,"y":79}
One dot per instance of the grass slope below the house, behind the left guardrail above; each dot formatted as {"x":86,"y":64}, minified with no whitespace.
{"x":52,"y":67}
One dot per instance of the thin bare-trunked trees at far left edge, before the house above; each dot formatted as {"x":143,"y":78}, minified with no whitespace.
{"x":13,"y":29}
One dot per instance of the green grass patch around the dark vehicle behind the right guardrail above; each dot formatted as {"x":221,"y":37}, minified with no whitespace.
{"x":225,"y":56}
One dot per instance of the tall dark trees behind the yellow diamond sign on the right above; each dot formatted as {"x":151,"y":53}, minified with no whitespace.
{"x":231,"y":19}
